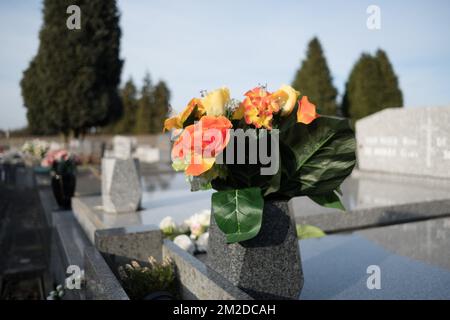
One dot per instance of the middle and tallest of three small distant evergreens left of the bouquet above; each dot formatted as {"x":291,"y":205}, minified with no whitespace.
{"x":145,"y":107}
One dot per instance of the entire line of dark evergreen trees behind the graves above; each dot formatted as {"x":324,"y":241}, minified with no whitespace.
{"x":71,"y":85}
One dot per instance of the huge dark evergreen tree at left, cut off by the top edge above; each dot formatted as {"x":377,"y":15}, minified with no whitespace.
{"x":78,"y":70}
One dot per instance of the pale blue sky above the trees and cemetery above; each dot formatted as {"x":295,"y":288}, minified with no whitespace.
{"x":196,"y":45}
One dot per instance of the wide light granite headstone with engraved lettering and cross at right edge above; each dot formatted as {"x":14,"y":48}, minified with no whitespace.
{"x":413,"y":141}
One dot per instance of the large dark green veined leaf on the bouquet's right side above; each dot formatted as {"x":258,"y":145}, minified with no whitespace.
{"x":316,"y":158}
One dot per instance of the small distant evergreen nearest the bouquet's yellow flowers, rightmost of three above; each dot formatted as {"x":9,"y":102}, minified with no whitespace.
{"x":161,"y":108}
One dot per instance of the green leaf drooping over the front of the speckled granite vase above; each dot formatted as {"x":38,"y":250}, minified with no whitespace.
{"x":238,"y":213}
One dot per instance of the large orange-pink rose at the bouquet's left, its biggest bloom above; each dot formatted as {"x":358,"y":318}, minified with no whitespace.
{"x":198,"y":145}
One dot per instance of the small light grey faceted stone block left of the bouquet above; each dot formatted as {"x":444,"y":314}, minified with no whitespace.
{"x":121,"y":187}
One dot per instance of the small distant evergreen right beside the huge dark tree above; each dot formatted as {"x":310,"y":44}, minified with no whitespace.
{"x":129,"y":101}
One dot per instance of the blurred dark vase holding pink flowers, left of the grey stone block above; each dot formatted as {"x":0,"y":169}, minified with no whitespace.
{"x":63,"y":167}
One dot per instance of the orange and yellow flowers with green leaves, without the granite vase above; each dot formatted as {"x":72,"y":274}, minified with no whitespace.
{"x":270,"y":146}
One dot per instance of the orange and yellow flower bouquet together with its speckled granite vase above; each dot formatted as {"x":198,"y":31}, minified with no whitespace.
{"x":257,"y":154}
